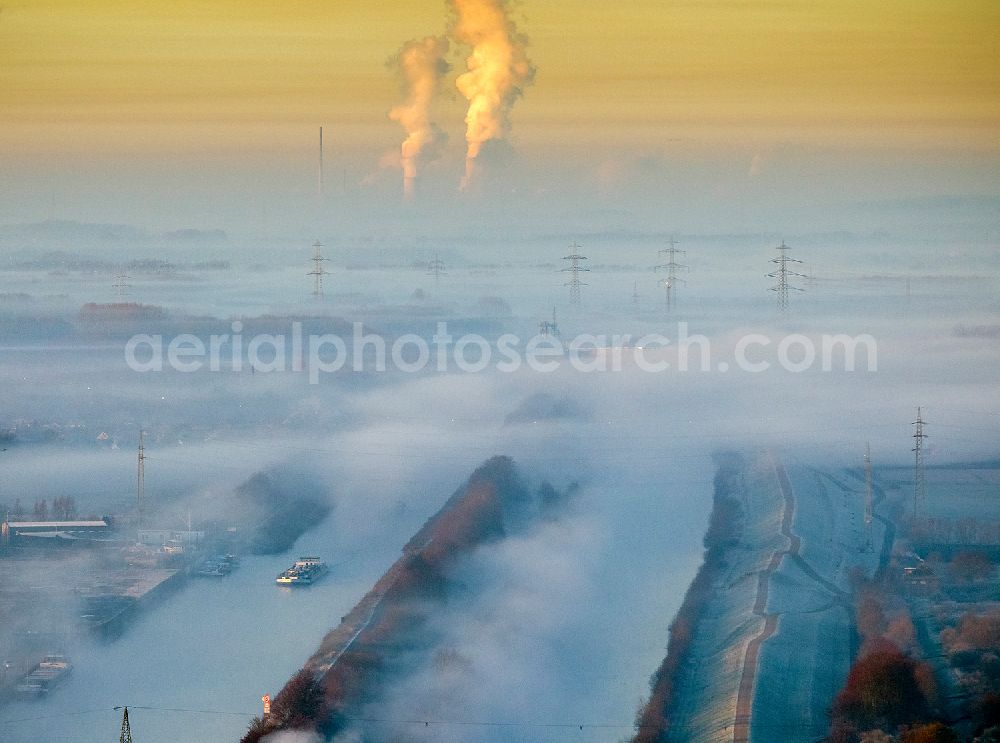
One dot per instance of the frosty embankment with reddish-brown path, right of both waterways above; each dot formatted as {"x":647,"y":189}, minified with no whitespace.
{"x":768,"y":616}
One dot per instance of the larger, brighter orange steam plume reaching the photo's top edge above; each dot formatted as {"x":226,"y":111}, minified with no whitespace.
{"x":498,"y":68}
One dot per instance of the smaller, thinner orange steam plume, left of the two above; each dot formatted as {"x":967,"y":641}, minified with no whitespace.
{"x":421,"y":67}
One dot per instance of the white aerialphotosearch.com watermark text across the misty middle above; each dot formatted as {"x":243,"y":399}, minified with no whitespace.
{"x":318,"y":354}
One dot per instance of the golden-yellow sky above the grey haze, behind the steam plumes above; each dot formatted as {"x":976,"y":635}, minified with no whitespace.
{"x":179,"y":76}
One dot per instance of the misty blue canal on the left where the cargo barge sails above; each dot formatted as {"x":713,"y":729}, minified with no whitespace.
{"x":215,"y":645}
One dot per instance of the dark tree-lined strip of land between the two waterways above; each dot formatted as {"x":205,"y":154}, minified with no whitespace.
{"x":359,"y":657}
